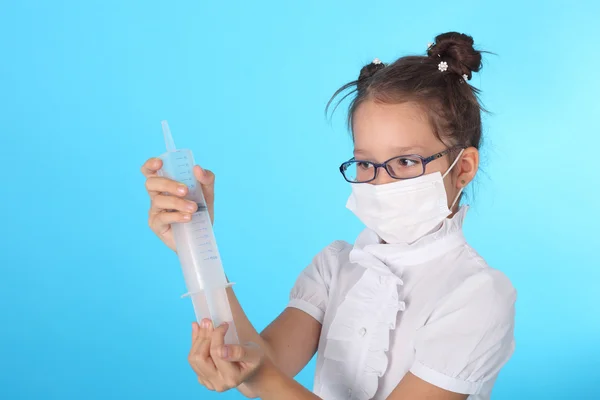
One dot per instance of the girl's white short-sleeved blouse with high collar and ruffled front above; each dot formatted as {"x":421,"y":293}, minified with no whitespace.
{"x":434,"y":308}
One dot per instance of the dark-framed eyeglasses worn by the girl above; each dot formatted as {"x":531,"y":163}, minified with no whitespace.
{"x":400,"y":167}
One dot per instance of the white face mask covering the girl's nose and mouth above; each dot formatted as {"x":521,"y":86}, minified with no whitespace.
{"x":403,"y":211}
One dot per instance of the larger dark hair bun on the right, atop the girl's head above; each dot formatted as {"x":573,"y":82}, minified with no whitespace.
{"x":457,"y":49}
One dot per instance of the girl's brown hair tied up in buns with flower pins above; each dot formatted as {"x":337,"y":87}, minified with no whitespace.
{"x":451,"y":104}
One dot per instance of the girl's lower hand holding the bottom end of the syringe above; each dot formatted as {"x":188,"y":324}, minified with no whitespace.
{"x":222,"y":367}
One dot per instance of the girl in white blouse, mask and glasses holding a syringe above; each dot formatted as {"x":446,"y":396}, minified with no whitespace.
{"x":410,"y":310}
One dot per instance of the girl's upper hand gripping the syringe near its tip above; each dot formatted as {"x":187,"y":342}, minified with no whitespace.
{"x":167,"y":202}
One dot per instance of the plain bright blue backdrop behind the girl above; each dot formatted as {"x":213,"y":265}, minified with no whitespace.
{"x":90,"y":305}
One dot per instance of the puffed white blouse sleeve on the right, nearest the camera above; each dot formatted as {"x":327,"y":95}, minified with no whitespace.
{"x":469,"y":337}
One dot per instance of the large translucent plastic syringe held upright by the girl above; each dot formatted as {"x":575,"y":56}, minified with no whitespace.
{"x":196,"y":245}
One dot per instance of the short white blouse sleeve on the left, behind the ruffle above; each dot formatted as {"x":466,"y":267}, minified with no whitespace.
{"x":311,"y":290}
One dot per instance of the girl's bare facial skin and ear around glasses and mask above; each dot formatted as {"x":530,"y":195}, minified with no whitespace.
{"x":383,"y":131}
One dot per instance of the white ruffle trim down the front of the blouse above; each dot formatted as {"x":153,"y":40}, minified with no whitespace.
{"x":360,"y":335}
